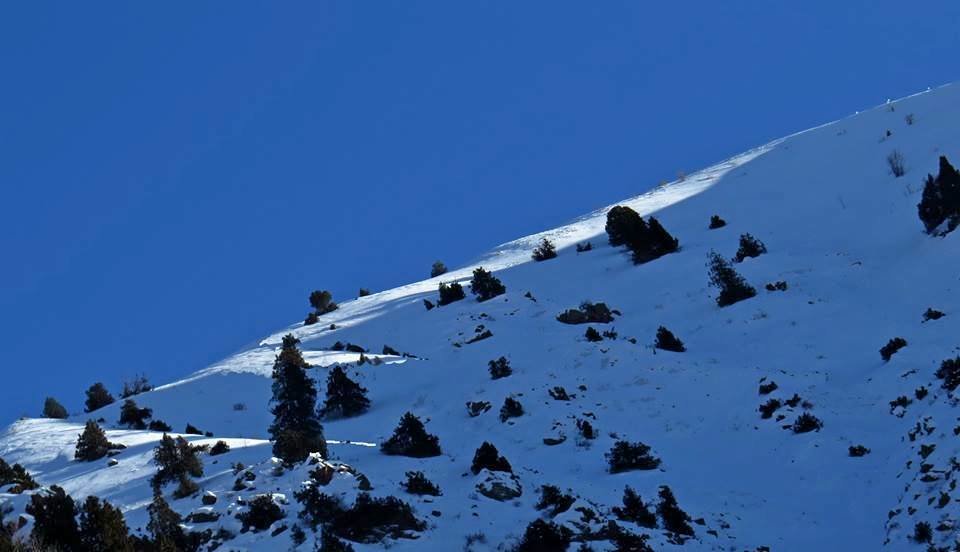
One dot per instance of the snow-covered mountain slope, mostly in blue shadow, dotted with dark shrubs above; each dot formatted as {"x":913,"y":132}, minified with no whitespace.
{"x":841,"y":230}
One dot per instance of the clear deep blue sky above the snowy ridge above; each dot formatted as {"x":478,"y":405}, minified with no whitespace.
{"x":176,"y":178}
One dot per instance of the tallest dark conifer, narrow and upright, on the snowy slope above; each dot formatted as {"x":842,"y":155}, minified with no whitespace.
{"x":296,"y":431}
